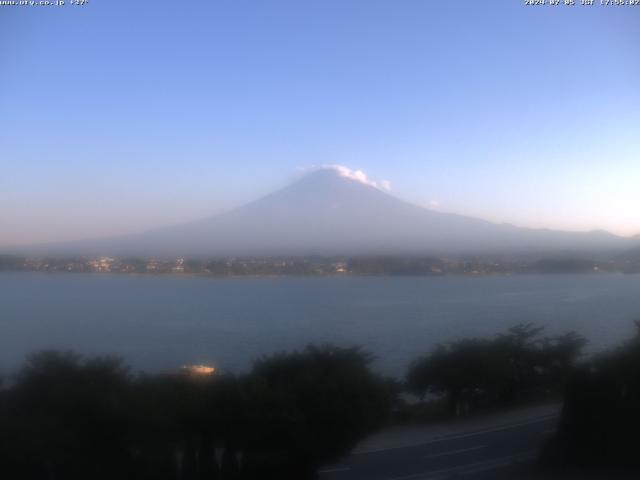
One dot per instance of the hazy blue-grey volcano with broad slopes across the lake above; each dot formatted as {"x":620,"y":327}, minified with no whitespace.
{"x":325,"y":213}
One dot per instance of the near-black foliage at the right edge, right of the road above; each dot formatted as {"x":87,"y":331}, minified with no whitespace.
{"x":598,"y":428}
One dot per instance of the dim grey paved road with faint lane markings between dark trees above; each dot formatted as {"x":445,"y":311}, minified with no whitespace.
{"x":493,"y":450}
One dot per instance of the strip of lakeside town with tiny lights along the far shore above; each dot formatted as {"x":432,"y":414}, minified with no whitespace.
{"x":322,"y":266}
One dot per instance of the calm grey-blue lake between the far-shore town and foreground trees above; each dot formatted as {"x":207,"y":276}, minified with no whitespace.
{"x":165,"y":321}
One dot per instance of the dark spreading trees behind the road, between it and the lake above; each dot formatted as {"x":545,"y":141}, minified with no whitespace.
{"x":514,"y":367}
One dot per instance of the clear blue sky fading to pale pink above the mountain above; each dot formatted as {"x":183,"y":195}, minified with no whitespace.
{"x":123,"y":115}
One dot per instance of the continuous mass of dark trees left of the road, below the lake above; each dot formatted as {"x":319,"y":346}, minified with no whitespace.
{"x":66,"y":417}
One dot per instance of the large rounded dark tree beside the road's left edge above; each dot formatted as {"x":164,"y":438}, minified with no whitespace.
{"x":311,"y":407}
